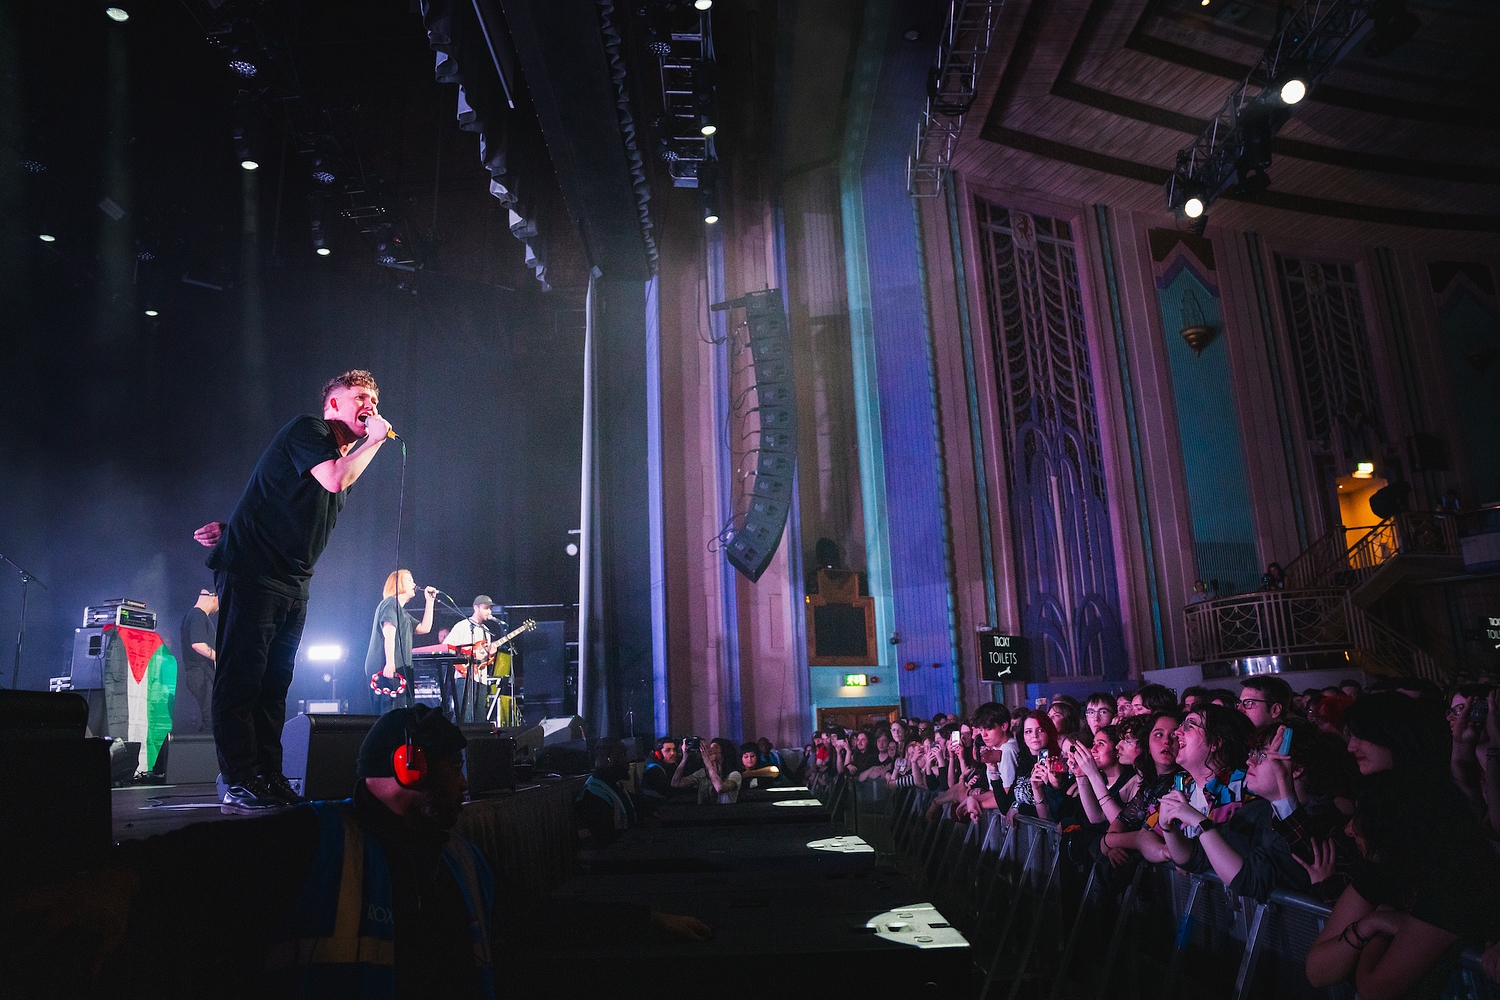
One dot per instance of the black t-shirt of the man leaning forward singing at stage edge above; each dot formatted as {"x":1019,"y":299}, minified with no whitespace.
{"x":283,"y":521}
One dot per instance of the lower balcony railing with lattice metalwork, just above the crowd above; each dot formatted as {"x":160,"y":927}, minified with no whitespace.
{"x":1289,"y":623}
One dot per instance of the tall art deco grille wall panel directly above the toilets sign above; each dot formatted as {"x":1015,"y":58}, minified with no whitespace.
{"x":1064,"y":551}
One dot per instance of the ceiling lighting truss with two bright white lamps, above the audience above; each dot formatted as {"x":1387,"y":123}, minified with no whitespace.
{"x":1234,"y":151}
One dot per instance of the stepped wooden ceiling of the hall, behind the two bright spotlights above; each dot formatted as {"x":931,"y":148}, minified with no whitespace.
{"x":1117,"y":89}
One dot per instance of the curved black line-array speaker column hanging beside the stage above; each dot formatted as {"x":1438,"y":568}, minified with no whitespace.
{"x":755,"y":543}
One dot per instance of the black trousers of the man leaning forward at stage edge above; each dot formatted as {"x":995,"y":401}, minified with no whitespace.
{"x":259,"y":636}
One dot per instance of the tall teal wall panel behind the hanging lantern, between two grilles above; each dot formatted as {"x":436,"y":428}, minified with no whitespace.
{"x":1210,"y":434}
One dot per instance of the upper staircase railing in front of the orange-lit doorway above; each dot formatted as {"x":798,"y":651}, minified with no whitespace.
{"x":1337,"y":561}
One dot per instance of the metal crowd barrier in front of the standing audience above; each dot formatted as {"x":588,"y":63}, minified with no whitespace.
{"x":1060,"y":926}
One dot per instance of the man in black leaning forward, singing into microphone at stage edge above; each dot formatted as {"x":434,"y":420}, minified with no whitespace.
{"x":262,"y":564}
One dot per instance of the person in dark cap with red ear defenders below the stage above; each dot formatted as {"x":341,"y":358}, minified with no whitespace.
{"x":170,"y":918}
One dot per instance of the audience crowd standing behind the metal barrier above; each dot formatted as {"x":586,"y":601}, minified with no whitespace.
{"x":1384,"y":801}
